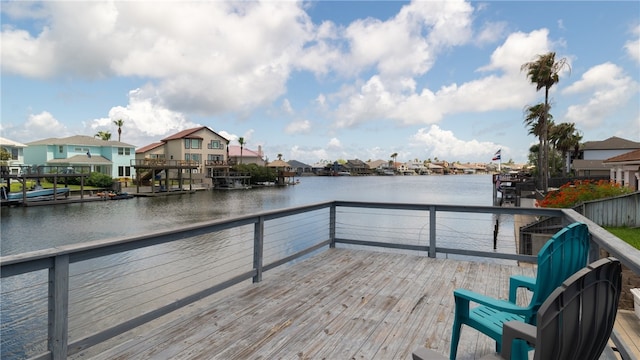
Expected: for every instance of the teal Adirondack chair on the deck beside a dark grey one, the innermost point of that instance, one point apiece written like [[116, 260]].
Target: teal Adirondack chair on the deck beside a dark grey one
[[563, 255]]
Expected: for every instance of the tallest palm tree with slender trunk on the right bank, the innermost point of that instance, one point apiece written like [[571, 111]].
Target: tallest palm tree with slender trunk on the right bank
[[544, 73]]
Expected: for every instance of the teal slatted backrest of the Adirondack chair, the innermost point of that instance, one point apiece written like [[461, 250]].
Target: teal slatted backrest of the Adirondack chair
[[563, 255]]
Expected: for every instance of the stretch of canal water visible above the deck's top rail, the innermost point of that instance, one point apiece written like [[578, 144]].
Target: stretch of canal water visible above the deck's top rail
[[42, 227]]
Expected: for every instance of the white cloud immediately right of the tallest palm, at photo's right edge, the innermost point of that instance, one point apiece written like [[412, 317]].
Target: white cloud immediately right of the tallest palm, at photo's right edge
[[607, 88]]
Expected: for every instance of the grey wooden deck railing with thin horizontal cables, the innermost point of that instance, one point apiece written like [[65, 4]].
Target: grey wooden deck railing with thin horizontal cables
[[244, 247]]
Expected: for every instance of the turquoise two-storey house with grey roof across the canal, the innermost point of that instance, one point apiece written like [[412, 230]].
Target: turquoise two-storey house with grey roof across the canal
[[107, 157]]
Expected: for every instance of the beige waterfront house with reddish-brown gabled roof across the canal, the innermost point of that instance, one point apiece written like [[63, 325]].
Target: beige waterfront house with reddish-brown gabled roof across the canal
[[201, 151]]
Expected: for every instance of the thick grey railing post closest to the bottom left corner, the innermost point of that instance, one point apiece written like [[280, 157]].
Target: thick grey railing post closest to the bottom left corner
[[59, 307]]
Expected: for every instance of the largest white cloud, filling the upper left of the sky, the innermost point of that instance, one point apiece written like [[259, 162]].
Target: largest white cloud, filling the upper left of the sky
[[228, 56]]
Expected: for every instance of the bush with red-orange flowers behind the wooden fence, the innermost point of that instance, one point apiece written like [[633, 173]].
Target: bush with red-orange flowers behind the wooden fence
[[579, 191]]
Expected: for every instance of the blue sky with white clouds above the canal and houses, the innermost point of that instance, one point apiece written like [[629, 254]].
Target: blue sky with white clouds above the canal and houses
[[320, 80]]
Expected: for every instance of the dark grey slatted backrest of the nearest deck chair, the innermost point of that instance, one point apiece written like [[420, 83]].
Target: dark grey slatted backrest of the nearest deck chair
[[578, 318]]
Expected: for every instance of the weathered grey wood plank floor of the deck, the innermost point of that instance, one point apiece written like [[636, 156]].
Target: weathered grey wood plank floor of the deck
[[340, 304]]
